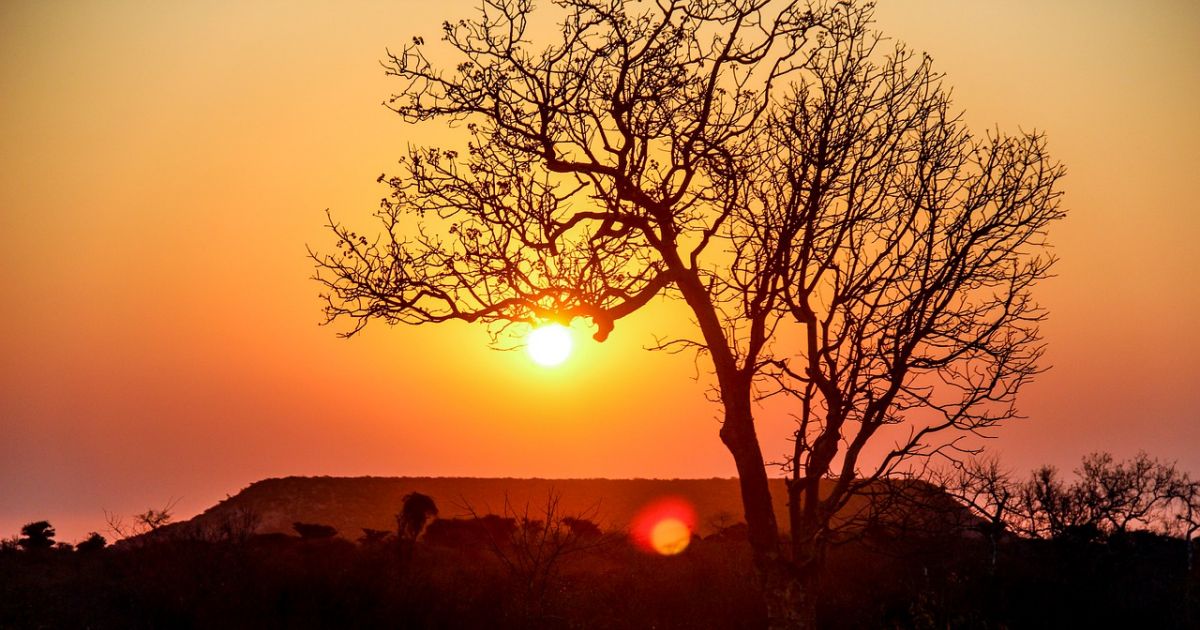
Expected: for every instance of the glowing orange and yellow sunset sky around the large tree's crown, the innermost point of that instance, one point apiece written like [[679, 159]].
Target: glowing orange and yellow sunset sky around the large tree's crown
[[164, 166]]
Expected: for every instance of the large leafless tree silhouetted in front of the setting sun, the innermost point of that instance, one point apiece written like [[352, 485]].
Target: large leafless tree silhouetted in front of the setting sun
[[843, 242]]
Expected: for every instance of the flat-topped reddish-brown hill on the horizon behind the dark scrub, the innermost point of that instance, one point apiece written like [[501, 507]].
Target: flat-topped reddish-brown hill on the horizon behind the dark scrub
[[371, 502]]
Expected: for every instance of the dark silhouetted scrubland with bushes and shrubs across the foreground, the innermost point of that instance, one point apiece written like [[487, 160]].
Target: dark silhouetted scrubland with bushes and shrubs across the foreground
[[1112, 547]]
